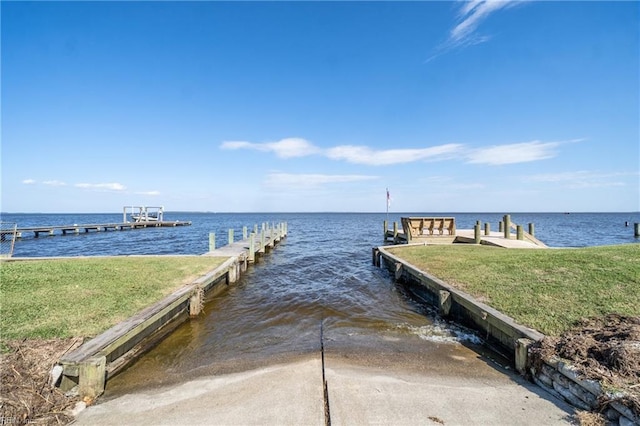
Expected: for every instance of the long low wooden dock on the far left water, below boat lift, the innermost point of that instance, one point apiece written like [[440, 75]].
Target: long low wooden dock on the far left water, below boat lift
[[86, 228]]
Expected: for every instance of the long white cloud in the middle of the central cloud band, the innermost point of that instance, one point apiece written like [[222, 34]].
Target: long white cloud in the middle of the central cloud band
[[368, 156]]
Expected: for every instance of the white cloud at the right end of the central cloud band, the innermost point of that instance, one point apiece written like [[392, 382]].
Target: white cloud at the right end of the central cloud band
[[513, 153]]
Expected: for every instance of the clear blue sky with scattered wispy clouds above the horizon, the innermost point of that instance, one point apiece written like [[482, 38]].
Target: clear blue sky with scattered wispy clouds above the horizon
[[320, 106]]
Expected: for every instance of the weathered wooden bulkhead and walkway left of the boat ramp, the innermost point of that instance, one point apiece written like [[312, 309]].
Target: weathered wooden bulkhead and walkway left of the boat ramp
[[87, 368]]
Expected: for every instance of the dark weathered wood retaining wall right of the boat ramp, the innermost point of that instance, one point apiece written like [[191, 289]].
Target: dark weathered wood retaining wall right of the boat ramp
[[556, 376]]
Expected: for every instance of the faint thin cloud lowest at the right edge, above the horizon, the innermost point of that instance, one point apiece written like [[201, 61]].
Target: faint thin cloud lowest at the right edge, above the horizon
[[583, 179]]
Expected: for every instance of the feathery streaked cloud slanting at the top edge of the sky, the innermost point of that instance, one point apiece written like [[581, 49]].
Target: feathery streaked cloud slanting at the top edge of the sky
[[470, 15]]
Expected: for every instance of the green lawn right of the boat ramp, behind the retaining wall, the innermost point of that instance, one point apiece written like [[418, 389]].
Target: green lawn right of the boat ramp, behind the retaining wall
[[548, 290]]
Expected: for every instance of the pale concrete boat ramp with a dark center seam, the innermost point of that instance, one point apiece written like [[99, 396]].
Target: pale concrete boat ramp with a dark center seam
[[387, 387]]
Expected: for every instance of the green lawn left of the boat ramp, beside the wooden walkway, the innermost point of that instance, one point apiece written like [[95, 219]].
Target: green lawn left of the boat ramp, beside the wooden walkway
[[61, 298]]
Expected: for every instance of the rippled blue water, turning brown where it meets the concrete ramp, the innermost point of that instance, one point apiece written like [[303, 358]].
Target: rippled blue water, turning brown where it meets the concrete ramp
[[319, 276]]
